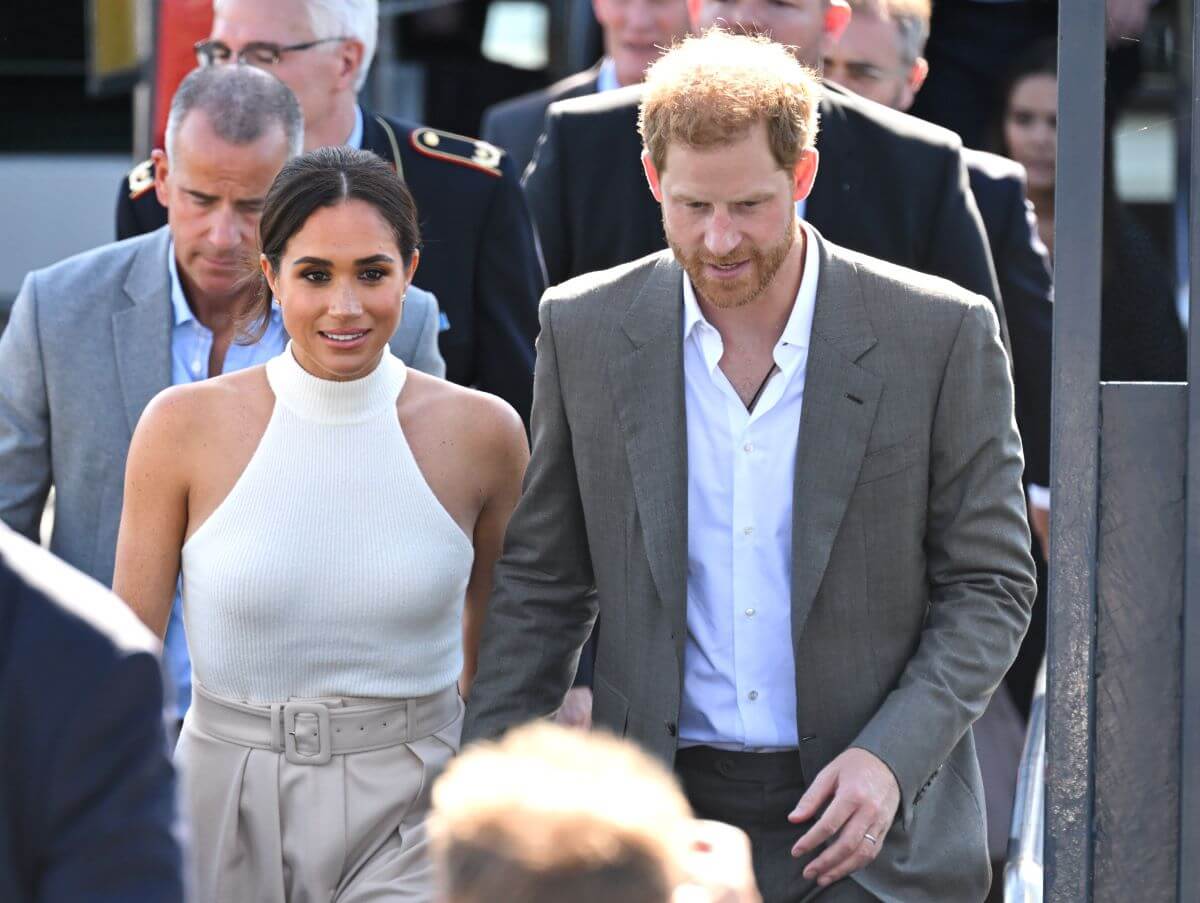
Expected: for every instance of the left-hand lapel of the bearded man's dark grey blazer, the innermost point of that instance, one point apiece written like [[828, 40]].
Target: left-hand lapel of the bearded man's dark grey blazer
[[647, 381]]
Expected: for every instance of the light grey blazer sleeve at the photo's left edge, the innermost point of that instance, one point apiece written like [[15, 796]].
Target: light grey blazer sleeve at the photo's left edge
[[25, 417]]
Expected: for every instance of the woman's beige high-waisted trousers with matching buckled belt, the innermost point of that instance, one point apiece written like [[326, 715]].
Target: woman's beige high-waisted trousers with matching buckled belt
[[313, 800]]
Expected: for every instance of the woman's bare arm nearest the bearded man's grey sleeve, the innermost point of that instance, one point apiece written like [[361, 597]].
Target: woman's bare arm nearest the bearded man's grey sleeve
[[506, 455]]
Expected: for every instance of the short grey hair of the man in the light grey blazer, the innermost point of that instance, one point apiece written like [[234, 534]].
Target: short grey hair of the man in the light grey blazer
[[242, 104]]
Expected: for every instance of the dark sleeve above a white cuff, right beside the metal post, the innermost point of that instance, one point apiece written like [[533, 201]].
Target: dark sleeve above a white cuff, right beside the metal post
[[1023, 268]]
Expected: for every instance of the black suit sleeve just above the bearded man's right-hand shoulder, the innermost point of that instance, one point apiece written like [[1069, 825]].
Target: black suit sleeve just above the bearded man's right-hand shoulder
[[958, 243]]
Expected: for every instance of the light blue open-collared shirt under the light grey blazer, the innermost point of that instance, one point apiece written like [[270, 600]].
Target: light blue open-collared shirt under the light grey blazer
[[191, 343]]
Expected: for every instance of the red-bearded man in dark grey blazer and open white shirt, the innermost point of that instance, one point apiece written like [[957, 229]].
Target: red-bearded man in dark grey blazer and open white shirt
[[789, 475]]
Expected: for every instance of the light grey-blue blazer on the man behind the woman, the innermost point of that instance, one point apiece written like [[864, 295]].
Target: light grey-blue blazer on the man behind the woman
[[87, 348]]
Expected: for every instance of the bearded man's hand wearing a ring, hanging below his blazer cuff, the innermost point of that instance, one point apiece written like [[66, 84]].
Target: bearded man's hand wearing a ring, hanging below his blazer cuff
[[863, 799]]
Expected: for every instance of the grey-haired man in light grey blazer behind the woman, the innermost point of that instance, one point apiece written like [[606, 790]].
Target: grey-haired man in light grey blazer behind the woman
[[94, 338]]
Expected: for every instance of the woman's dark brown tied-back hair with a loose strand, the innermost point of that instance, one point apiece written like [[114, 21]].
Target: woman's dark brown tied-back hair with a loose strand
[[326, 178]]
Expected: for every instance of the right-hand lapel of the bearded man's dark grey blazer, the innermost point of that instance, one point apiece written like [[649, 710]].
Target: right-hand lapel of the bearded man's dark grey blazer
[[841, 400]]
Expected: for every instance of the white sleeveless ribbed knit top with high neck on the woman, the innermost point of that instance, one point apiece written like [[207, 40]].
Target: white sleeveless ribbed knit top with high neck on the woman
[[331, 570]]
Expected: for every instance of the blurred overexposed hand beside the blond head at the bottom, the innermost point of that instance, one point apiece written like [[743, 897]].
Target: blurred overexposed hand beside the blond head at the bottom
[[718, 866]]
